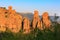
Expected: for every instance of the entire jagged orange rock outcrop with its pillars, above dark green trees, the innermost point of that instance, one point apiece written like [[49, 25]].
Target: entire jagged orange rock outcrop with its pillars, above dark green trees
[[12, 21]]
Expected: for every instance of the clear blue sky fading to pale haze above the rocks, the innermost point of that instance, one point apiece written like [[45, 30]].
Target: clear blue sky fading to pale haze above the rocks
[[51, 6]]
